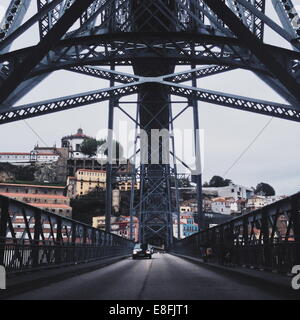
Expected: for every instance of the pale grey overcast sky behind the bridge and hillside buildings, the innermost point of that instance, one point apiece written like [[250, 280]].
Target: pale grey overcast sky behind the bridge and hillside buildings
[[274, 158]]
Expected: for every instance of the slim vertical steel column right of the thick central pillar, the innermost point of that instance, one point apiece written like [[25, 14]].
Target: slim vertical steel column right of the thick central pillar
[[198, 176]]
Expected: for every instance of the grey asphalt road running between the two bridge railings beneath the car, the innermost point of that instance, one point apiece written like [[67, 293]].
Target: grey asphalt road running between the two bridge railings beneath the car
[[164, 277]]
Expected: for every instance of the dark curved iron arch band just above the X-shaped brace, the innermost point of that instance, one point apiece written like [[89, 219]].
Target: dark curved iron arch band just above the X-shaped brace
[[123, 49]]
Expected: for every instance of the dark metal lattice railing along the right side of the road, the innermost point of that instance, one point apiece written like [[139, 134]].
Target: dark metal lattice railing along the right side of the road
[[268, 238]]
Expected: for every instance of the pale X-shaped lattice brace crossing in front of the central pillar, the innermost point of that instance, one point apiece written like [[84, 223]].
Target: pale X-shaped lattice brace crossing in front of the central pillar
[[277, 110]]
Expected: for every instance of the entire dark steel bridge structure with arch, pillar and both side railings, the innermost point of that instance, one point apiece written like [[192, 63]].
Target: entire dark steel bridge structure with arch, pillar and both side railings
[[95, 38]]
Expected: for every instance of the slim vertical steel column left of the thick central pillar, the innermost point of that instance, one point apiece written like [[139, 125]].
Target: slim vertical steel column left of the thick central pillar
[[109, 161]]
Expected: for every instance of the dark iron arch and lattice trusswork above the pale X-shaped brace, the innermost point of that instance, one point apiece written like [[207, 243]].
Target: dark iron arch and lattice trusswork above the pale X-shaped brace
[[195, 34]]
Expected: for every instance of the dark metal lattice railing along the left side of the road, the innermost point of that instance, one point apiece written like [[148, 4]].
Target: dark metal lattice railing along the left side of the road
[[31, 238]]
